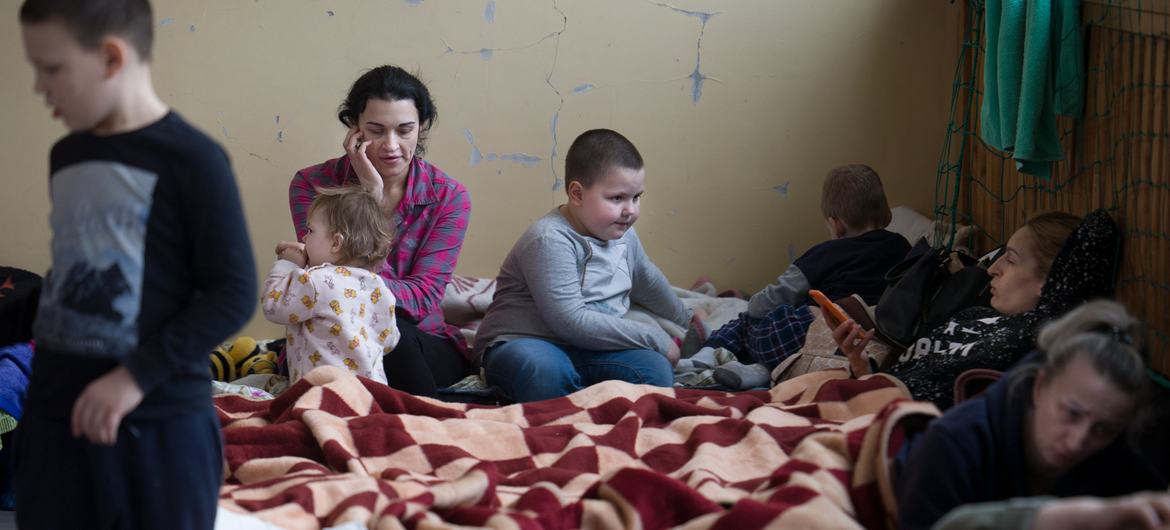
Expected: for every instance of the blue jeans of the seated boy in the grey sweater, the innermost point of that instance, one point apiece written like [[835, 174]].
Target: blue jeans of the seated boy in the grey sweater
[[531, 369]]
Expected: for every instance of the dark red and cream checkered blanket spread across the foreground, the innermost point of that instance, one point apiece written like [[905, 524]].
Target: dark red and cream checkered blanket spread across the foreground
[[334, 449]]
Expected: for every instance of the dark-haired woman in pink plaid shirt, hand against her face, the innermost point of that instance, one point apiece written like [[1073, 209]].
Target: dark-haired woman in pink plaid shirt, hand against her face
[[389, 113]]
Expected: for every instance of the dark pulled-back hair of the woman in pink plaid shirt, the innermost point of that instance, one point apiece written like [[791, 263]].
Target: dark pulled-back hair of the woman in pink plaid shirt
[[390, 84]]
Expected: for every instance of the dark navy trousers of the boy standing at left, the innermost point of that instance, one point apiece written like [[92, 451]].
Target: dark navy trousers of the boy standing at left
[[159, 474]]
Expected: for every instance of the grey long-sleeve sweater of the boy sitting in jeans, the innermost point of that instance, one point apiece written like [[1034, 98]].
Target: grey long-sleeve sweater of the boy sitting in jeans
[[568, 288]]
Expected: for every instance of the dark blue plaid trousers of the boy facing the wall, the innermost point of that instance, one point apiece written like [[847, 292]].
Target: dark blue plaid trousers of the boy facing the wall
[[766, 341]]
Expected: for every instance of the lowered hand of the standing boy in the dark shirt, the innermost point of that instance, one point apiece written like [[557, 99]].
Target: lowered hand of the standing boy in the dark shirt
[[104, 404]]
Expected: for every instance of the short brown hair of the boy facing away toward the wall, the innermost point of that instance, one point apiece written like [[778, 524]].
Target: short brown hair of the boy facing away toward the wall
[[855, 196]]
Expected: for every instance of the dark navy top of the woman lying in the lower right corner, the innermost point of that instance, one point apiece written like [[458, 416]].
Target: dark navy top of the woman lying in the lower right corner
[[975, 453]]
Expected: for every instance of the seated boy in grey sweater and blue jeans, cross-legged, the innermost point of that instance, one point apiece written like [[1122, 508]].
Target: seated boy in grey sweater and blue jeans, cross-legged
[[556, 323]]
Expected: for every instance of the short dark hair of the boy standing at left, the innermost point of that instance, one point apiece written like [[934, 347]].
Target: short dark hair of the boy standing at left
[[90, 22]]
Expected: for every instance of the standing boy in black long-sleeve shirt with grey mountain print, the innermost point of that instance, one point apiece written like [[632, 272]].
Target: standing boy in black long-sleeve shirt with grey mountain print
[[152, 269]]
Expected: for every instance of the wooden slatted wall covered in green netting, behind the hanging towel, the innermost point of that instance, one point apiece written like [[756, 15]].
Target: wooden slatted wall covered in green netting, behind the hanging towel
[[1117, 155]]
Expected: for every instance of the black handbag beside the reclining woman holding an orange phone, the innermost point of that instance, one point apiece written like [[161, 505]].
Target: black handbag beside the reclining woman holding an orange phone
[[926, 290]]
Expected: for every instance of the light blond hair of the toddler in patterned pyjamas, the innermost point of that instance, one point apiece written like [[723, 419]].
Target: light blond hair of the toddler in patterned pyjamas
[[355, 214]]
